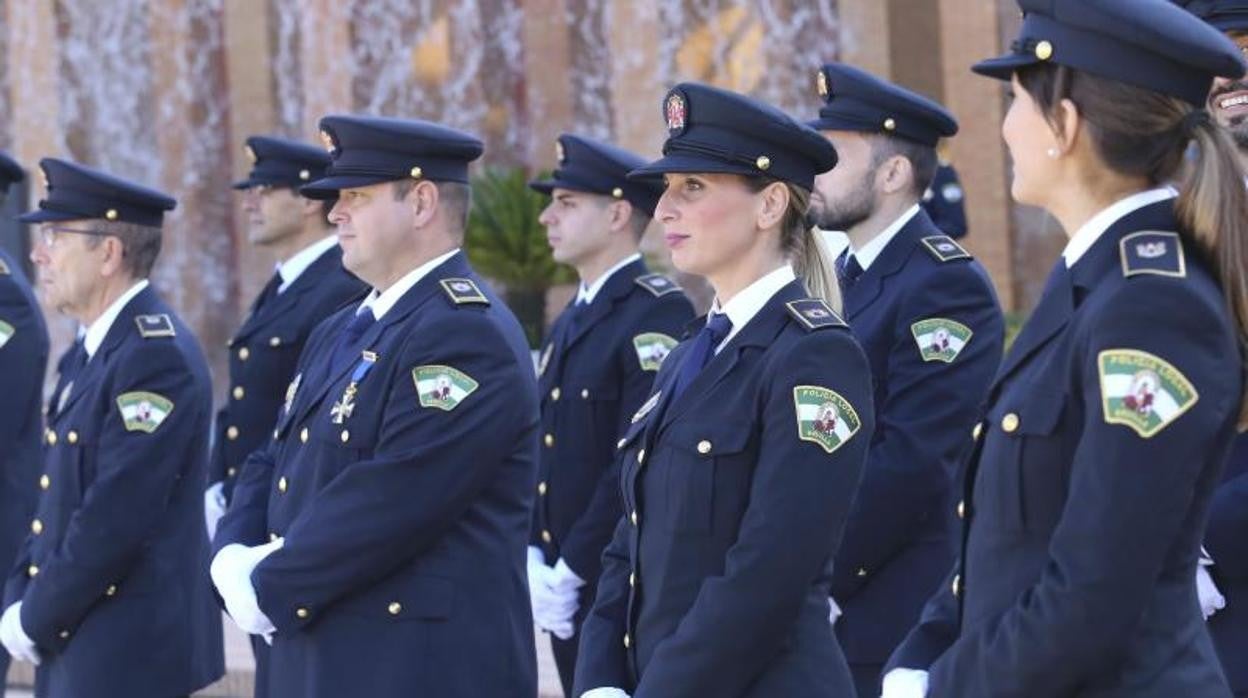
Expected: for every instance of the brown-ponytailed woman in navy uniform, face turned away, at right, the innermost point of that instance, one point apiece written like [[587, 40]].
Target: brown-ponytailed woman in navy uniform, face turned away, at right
[[1110, 421]]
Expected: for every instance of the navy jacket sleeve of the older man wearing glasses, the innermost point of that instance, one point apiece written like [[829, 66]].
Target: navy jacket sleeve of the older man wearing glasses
[[137, 473]]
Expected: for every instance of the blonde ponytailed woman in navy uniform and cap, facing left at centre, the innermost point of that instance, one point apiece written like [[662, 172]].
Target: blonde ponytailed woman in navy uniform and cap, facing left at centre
[[739, 470]]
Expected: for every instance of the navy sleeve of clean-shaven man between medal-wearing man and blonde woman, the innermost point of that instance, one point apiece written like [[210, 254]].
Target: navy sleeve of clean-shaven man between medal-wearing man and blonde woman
[[583, 546]]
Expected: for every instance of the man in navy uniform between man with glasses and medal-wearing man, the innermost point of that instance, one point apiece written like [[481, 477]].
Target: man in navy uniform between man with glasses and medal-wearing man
[[308, 287]]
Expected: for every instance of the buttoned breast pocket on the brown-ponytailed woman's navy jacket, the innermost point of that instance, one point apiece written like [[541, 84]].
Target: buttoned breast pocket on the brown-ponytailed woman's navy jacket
[[1028, 460]]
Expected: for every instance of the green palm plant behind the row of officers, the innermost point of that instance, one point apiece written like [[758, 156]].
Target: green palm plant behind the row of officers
[[506, 243]]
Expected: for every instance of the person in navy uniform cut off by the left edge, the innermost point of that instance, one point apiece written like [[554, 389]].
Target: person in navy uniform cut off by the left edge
[[23, 363]]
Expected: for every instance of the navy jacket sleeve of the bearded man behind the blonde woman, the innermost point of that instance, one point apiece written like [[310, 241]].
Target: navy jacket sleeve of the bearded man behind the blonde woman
[[924, 424]]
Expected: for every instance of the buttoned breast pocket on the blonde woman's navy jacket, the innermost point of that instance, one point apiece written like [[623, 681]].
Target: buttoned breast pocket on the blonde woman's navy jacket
[[706, 474]]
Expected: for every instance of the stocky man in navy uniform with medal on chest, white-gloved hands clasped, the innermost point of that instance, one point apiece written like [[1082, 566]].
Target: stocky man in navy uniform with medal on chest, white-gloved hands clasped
[[380, 538]]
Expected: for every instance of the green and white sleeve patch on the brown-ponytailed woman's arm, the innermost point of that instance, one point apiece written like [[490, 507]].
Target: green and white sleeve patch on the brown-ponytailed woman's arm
[[1143, 391]]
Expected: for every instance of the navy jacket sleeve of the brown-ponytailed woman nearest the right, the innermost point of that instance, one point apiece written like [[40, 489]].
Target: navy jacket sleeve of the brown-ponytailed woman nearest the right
[[1129, 501]]
